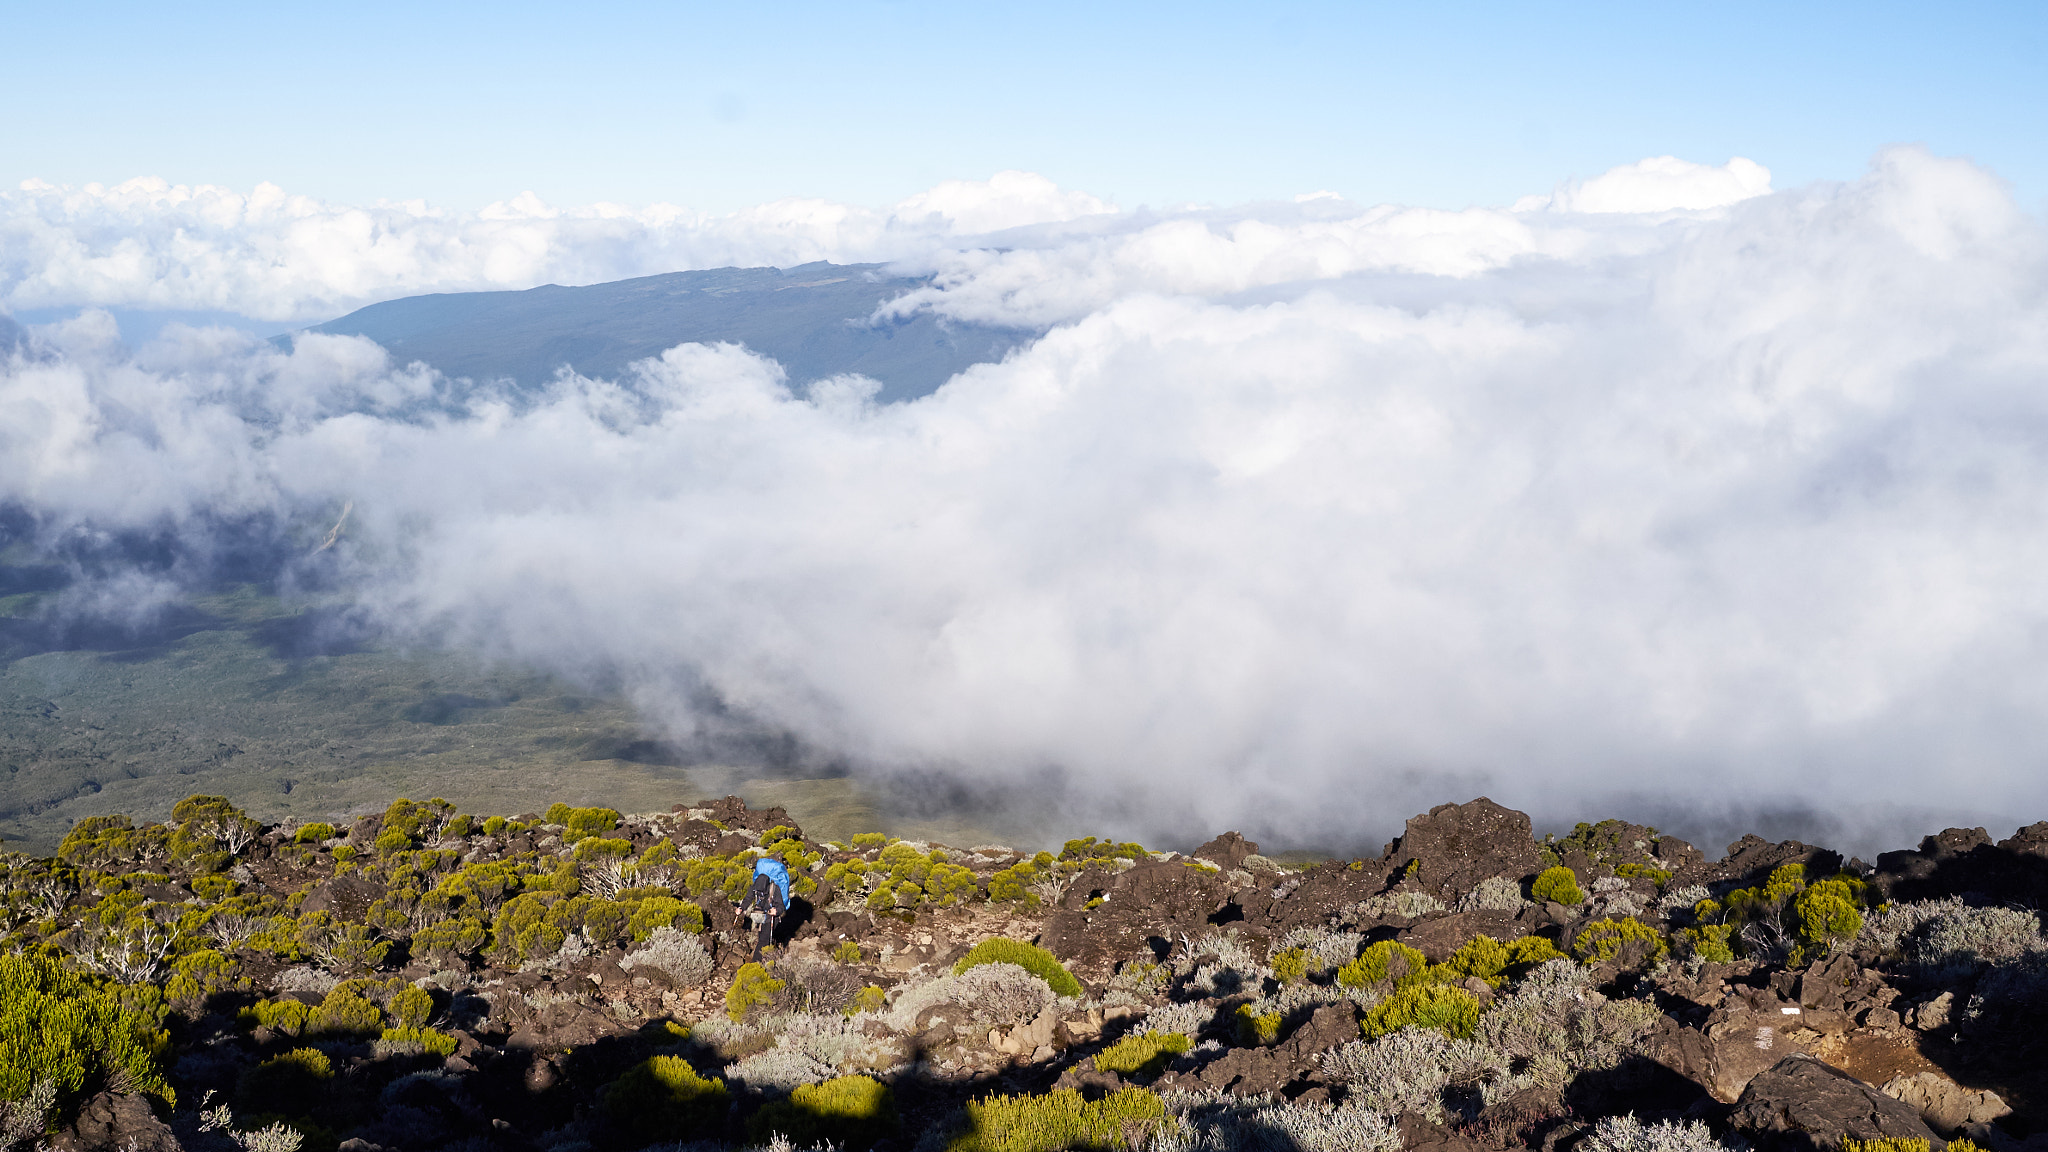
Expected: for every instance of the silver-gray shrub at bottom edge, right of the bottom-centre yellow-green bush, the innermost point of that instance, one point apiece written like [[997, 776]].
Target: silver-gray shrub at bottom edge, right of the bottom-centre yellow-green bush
[[1218, 1122]]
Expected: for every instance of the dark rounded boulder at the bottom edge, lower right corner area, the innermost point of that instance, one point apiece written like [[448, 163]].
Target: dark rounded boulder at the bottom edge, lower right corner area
[[1803, 1106]]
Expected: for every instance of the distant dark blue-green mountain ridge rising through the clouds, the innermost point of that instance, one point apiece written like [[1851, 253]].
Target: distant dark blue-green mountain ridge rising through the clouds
[[814, 319]]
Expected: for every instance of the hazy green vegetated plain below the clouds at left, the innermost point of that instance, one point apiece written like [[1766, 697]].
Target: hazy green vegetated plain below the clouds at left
[[222, 698]]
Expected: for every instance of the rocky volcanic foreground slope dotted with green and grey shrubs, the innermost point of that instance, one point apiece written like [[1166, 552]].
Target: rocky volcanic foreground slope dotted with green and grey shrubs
[[433, 981]]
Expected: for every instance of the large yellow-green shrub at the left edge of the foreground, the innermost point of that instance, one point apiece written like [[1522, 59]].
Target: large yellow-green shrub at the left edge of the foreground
[[73, 1034]]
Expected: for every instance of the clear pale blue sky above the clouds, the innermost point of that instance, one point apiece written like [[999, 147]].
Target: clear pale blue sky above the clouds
[[1148, 104]]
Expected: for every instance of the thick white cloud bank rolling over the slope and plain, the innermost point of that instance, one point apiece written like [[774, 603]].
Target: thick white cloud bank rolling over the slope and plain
[[1316, 513]]
